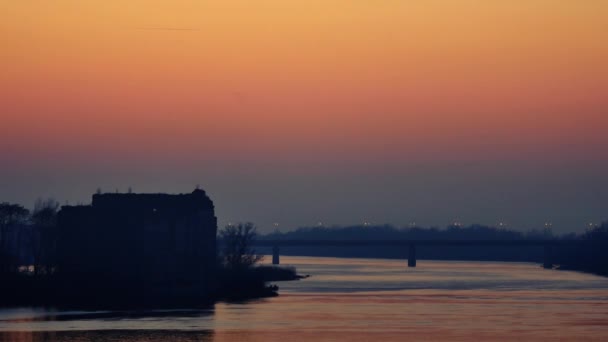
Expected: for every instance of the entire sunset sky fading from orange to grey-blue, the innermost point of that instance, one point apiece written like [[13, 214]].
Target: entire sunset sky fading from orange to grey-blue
[[319, 110]]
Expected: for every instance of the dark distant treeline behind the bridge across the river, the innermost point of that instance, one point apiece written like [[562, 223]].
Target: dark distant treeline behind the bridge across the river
[[588, 259]]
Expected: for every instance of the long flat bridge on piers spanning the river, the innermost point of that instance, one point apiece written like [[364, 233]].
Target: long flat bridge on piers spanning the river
[[411, 245]]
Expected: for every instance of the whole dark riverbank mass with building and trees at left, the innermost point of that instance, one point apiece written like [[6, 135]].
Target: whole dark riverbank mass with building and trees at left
[[130, 250]]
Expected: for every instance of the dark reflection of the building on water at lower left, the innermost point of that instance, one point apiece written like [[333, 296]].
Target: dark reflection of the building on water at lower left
[[91, 326]]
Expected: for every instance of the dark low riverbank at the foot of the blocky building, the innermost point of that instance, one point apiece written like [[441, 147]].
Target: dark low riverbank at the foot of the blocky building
[[23, 289]]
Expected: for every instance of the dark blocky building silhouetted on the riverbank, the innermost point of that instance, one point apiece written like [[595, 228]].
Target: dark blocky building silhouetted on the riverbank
[[140, 246]]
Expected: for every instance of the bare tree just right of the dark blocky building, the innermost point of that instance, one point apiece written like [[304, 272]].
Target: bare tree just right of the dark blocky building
[[237, 248]]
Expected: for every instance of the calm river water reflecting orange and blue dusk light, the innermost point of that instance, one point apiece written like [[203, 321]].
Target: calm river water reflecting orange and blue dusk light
[[361, 300]]
